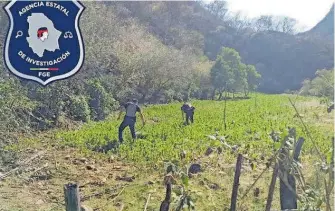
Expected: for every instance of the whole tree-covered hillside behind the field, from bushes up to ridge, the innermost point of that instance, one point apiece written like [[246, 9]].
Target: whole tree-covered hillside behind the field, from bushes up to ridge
[[165, 51]]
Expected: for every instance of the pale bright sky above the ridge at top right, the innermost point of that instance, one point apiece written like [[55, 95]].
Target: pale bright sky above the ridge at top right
[[307, 12]]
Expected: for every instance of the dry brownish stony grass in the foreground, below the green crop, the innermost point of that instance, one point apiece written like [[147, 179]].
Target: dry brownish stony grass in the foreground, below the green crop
[[210, 189]]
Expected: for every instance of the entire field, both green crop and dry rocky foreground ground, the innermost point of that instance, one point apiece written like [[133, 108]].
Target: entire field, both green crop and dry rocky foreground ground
[[252, 125]]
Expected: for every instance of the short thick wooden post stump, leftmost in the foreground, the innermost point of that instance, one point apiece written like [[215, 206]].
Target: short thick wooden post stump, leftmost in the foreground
[[72, 199]]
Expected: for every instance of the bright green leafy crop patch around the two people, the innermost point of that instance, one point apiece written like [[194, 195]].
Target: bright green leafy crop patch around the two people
[[249, 124]]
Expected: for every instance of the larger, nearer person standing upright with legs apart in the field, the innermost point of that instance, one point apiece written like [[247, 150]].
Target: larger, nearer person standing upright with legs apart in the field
[[131, 108]]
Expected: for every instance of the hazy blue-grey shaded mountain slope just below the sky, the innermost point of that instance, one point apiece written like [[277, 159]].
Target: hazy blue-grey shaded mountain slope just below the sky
[[284, 60]]
